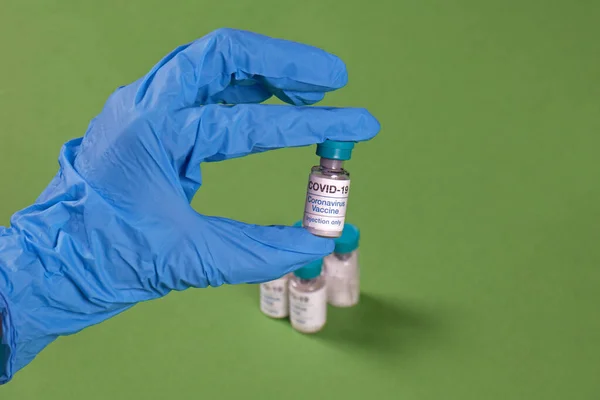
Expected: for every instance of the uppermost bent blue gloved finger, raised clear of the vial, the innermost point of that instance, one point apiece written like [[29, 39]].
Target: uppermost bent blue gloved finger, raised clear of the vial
[[197, 73]]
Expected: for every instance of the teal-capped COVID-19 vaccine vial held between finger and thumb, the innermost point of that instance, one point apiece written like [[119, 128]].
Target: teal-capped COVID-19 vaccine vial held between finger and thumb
[[328, 189]]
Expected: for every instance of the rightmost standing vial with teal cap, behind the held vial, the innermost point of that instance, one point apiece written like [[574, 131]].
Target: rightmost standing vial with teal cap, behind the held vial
[[342, 270]]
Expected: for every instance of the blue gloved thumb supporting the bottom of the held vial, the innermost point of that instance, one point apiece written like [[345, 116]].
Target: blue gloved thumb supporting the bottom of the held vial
[[224, 251]]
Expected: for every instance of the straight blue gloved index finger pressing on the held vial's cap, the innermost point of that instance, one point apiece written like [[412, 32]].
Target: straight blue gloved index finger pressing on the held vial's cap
[[218, 133]]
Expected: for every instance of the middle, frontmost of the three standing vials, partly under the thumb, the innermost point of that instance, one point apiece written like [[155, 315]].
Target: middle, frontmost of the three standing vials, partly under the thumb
[[308, 298]]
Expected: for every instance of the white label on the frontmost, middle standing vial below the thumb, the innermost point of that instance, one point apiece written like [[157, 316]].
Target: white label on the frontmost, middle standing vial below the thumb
[[308, 310]]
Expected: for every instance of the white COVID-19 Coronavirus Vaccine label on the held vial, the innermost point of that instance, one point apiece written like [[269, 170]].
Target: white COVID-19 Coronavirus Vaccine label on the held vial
[[326, 202]]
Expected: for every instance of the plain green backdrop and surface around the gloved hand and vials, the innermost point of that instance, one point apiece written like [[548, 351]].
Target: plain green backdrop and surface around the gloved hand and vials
[[480, 255]]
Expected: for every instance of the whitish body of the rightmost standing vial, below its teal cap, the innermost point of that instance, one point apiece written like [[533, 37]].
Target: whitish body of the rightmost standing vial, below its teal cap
[[343, 288]]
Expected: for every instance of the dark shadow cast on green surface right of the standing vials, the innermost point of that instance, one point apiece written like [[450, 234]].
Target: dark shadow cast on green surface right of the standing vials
[[384, 327]]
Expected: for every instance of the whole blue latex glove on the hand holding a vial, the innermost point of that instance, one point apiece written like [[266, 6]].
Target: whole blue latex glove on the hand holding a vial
[[115, 226]]
